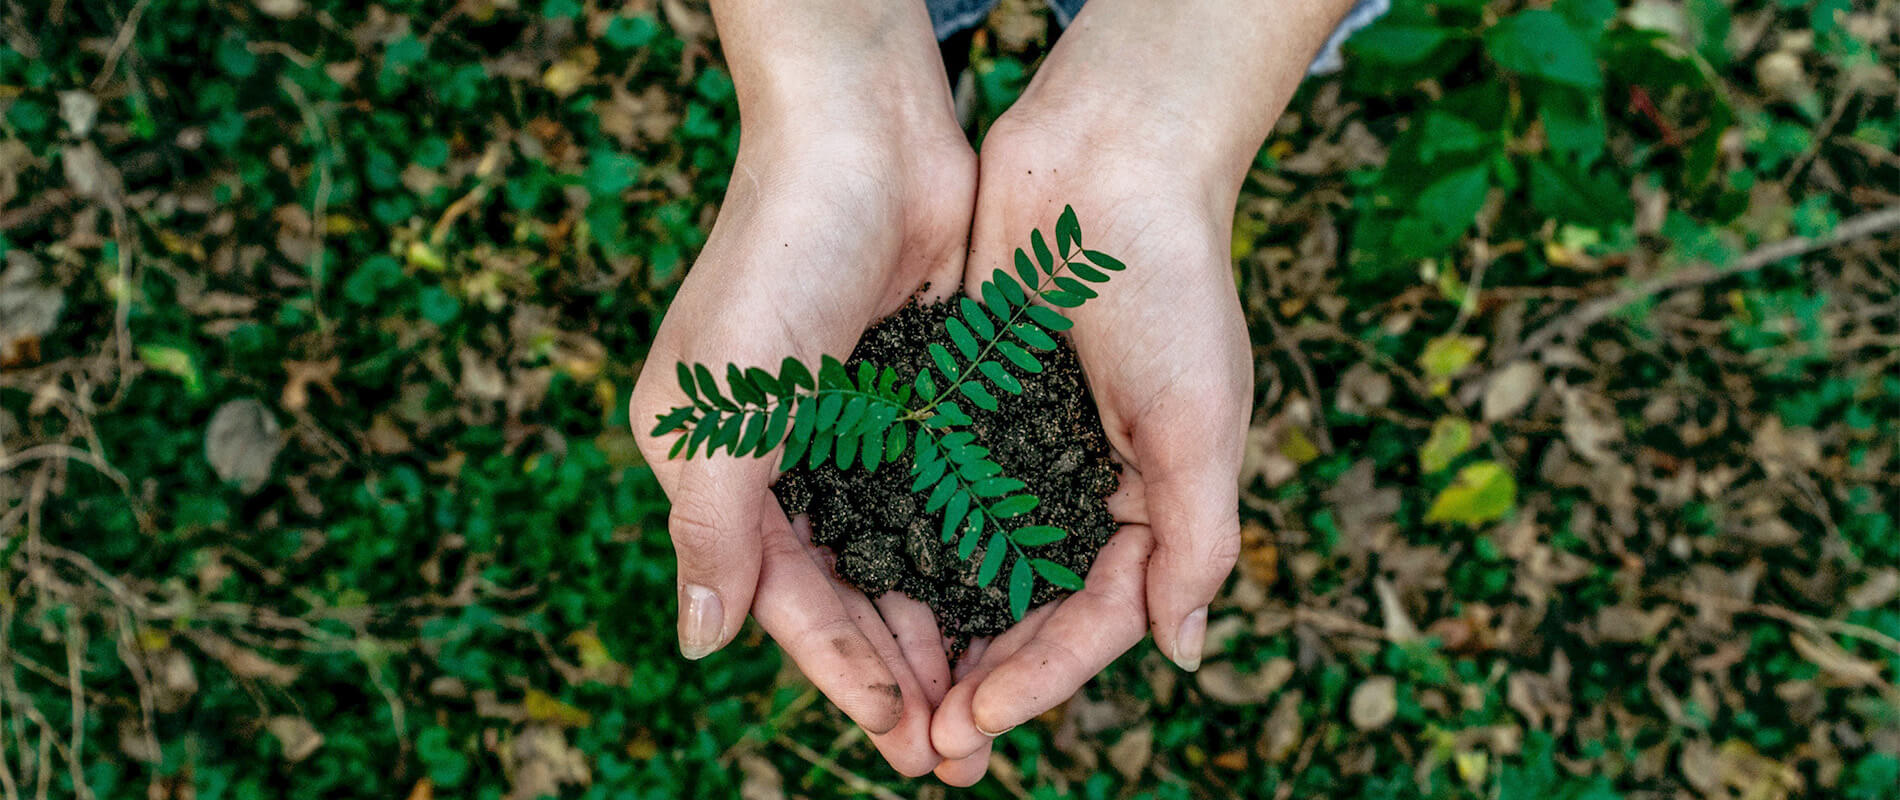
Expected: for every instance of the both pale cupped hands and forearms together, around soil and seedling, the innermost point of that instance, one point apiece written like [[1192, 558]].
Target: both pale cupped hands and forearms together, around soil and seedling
[[852, 189]]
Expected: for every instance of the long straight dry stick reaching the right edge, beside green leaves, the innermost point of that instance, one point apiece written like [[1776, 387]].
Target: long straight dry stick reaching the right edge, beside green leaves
[[1872, 223]]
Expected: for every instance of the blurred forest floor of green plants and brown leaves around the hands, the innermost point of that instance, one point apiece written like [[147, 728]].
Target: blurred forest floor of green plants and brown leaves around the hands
[[1572, 474]]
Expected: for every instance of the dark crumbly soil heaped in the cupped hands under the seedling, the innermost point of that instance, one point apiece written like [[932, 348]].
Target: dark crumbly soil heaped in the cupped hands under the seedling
[[1050, 438]]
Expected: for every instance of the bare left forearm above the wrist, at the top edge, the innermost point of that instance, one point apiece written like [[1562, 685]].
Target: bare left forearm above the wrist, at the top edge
[[833, 62]]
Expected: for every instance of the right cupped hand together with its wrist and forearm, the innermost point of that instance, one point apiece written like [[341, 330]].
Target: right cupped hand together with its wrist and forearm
[[1145, 119]]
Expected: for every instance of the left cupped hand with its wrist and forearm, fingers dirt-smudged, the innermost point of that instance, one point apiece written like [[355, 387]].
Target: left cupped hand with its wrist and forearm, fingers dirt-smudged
[[852, 189]]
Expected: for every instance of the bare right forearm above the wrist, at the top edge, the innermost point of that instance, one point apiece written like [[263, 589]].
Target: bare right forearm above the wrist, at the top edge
[[1202, 77]]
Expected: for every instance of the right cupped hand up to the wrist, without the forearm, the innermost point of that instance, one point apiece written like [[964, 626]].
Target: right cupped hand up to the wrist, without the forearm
[[1168, 358]]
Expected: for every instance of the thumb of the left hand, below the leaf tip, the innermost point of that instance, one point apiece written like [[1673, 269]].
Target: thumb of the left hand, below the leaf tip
[[715, 529]]
